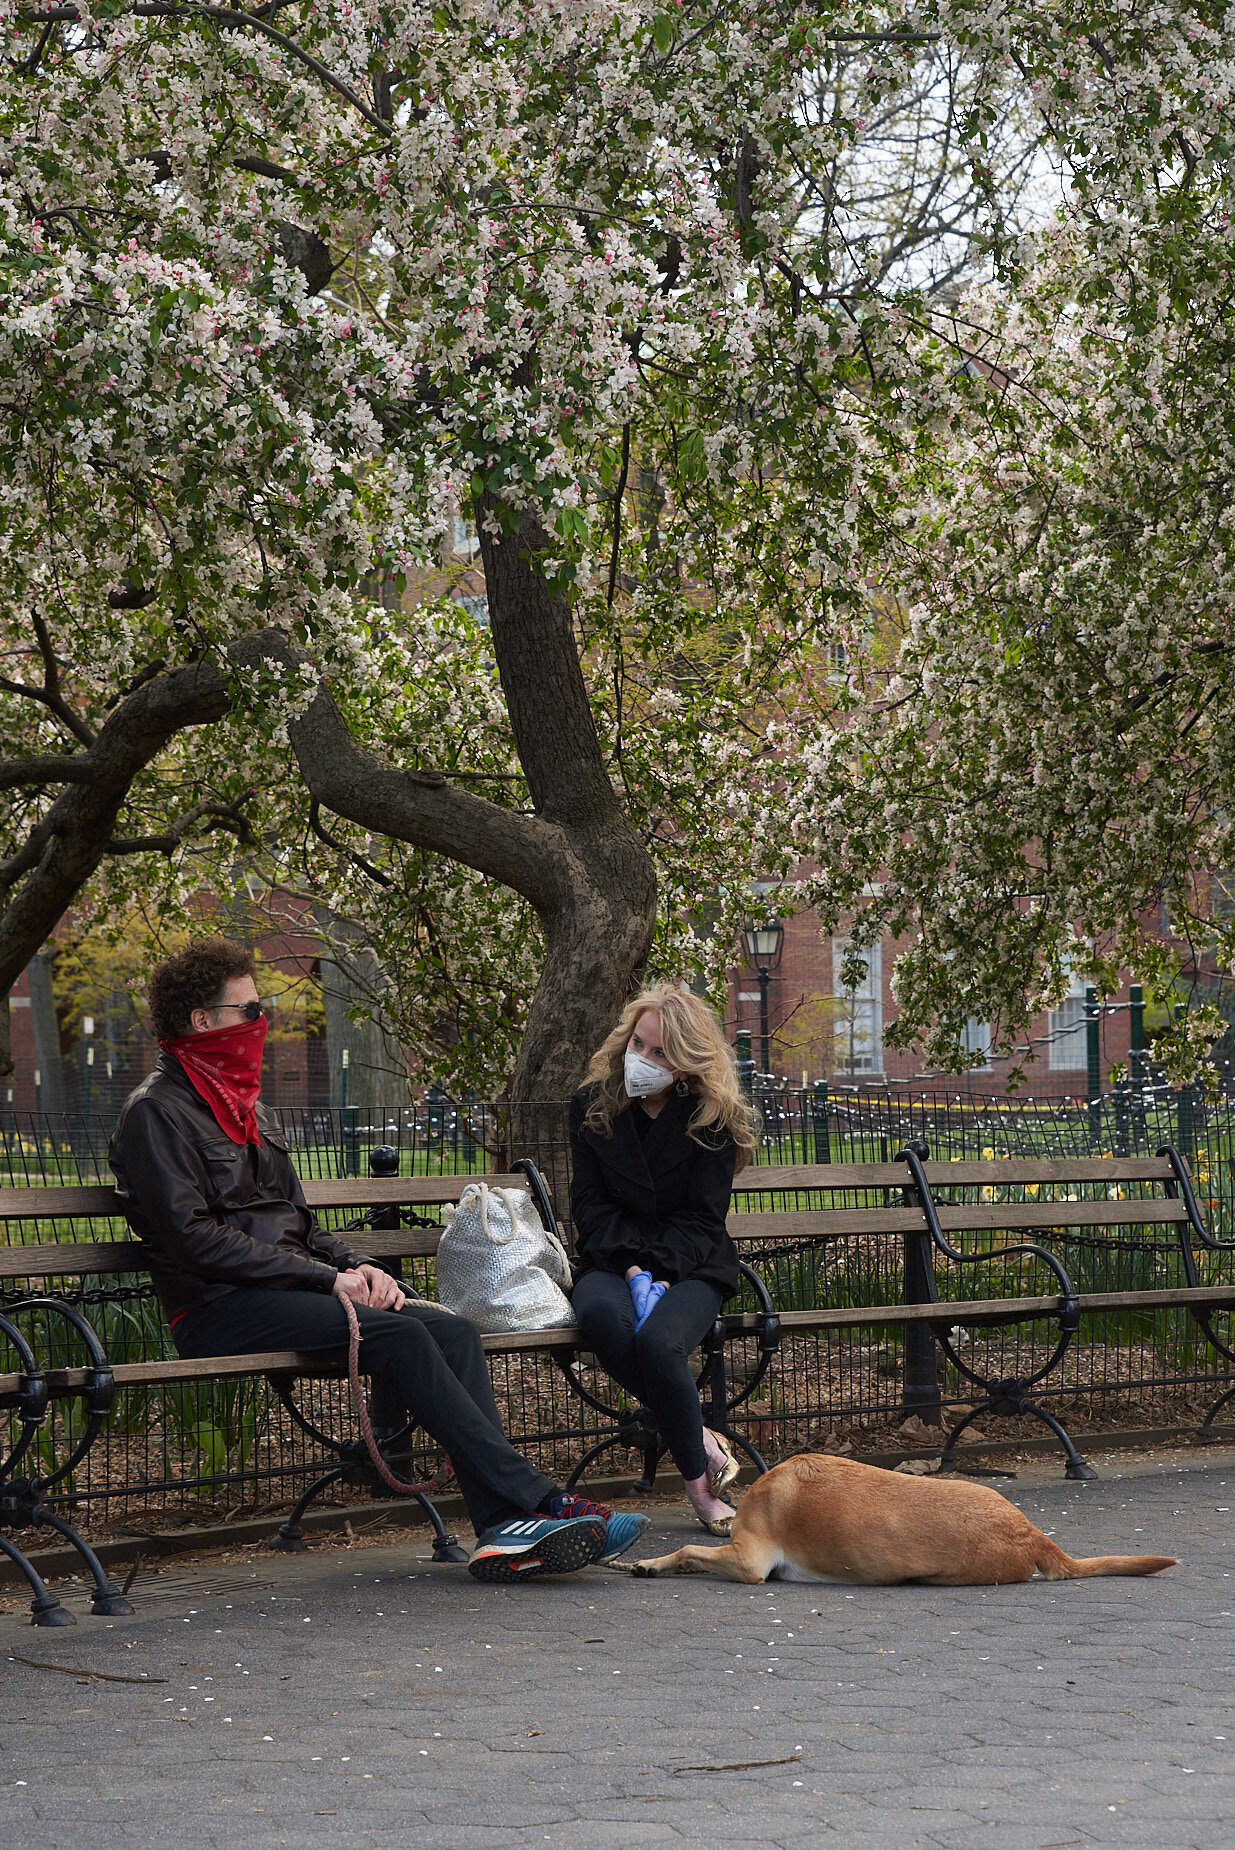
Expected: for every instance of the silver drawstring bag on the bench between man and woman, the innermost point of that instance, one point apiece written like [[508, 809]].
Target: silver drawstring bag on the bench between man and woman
[[500, 1266]]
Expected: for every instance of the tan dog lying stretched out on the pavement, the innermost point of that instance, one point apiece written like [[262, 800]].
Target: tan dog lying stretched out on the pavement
[[835, 1520]]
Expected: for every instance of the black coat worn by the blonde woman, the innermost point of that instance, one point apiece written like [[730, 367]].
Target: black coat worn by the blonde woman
[[657, 1202]]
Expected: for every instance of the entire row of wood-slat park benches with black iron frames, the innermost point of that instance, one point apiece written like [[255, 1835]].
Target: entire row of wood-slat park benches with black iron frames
[[918, 1216]]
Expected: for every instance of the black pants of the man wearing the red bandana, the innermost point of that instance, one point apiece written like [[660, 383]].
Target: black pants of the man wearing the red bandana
[[430, 1359]]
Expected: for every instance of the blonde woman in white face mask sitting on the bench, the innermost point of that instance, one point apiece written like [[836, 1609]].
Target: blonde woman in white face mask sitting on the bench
[[657, 1135]]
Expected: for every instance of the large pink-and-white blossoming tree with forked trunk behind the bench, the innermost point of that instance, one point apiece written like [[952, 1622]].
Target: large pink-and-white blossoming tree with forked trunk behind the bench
[[289, 288]]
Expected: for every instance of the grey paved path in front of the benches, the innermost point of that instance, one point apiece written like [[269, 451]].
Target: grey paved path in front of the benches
[[367, 1697]]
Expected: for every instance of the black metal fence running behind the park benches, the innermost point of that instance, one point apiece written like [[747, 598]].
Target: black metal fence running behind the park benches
[[226, 1449]]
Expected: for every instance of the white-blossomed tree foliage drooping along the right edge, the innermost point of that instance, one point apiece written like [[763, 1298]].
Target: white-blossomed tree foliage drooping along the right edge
[[1042, 769]]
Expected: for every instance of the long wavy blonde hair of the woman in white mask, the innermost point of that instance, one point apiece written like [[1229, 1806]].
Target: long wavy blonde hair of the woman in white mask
[[696, 1046]]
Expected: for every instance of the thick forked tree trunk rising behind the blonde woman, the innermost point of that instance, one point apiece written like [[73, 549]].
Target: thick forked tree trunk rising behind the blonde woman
[[578, 857]]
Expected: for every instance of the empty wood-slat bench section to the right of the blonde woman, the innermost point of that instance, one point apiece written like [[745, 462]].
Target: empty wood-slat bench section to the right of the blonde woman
[[955, 1220]]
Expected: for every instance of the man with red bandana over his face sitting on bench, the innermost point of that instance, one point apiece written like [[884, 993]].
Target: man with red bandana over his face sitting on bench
[[243, 1266]]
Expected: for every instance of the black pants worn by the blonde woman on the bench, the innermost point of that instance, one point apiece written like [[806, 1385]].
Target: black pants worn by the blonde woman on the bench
[[654, 1364]]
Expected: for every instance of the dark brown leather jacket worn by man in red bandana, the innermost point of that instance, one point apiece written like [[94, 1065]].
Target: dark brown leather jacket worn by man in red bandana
[[215, 1215]]
